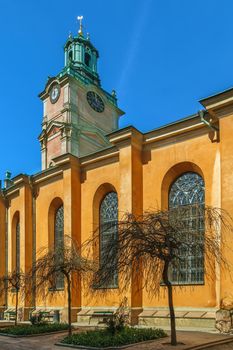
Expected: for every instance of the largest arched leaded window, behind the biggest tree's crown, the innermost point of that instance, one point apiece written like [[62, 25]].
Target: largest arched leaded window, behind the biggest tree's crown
[[186, 200]]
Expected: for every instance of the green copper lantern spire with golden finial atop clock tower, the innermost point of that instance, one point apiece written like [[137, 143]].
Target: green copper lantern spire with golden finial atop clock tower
[[81, 55]]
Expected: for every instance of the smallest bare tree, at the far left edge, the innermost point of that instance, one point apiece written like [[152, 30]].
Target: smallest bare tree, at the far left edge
[[15, 282]]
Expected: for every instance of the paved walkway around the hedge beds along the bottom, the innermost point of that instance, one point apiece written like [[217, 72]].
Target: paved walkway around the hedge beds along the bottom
[[187, 338]]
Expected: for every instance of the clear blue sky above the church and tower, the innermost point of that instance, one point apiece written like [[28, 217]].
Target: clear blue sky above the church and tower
[[161, 56]]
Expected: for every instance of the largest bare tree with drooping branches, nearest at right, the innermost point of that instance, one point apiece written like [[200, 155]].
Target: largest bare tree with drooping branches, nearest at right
[[159, 243]]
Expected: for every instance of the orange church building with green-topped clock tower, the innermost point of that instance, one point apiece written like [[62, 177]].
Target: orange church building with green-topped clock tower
[[91, 170]]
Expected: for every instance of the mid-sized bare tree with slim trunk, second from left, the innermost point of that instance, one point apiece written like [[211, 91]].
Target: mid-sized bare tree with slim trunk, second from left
[[62, 263]]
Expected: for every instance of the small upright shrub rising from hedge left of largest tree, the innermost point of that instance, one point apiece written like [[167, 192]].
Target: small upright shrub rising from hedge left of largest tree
[[118, 321]]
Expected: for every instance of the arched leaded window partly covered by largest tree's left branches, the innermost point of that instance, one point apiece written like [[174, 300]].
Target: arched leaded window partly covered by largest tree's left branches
[[108, 230]]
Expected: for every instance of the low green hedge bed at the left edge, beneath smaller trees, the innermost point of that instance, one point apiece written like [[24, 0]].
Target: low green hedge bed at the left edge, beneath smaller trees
[[34, 329]]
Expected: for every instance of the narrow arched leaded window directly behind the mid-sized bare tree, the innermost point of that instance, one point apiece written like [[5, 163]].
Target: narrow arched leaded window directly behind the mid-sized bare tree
[[58, 242]]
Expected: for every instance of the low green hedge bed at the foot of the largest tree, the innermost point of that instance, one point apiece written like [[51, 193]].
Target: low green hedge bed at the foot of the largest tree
[[103, 338]]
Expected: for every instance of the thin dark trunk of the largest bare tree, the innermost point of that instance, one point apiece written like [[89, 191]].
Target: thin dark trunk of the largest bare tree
[[170, 303]]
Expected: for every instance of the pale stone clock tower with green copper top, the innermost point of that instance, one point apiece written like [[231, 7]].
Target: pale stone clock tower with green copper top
[[78, 112]]
